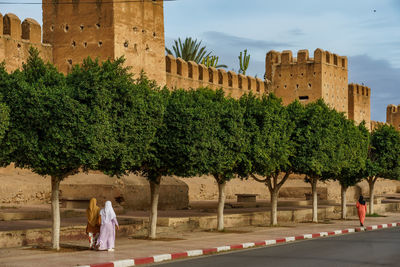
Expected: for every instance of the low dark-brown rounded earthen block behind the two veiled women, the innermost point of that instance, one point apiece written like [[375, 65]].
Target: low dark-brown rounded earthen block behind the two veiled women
[[130, 192]]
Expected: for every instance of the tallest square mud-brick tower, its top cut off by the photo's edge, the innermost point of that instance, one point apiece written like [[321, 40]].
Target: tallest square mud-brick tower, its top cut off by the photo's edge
[[107, 29]]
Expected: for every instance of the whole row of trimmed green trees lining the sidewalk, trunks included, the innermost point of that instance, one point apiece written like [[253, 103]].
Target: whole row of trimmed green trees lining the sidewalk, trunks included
[[99, 118]]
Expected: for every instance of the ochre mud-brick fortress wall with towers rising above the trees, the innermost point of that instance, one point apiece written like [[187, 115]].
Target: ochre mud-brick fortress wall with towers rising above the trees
[[135, 30]]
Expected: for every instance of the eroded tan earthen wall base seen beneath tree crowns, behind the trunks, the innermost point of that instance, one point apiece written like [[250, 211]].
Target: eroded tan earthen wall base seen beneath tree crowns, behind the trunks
[[24, 187]]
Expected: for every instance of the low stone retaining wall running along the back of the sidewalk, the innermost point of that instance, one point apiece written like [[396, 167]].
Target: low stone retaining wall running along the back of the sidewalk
[[139, 226]]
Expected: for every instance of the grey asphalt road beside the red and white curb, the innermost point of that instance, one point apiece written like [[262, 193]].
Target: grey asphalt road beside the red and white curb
[[373, 248]]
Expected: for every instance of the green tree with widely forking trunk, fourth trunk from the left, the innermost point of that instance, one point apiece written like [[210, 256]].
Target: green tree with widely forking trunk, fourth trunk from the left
[[268, 132]]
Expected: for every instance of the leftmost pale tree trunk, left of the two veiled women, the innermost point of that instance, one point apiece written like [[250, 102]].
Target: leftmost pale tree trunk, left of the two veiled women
[[55, 212]]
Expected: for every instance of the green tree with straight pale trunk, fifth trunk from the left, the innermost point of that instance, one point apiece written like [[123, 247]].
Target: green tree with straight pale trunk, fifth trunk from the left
[[317, 134]]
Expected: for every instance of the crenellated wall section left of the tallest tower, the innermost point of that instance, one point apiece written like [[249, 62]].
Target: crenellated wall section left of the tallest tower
[[16, 38]]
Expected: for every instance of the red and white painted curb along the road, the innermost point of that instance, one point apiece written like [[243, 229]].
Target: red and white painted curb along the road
[[200, 252]]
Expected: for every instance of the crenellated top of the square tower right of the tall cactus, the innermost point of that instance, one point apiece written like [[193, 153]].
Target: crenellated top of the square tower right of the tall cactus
[[320, 56]]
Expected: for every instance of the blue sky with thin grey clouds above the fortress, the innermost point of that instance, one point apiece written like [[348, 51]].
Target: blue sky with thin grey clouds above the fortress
[[366, 31]]
